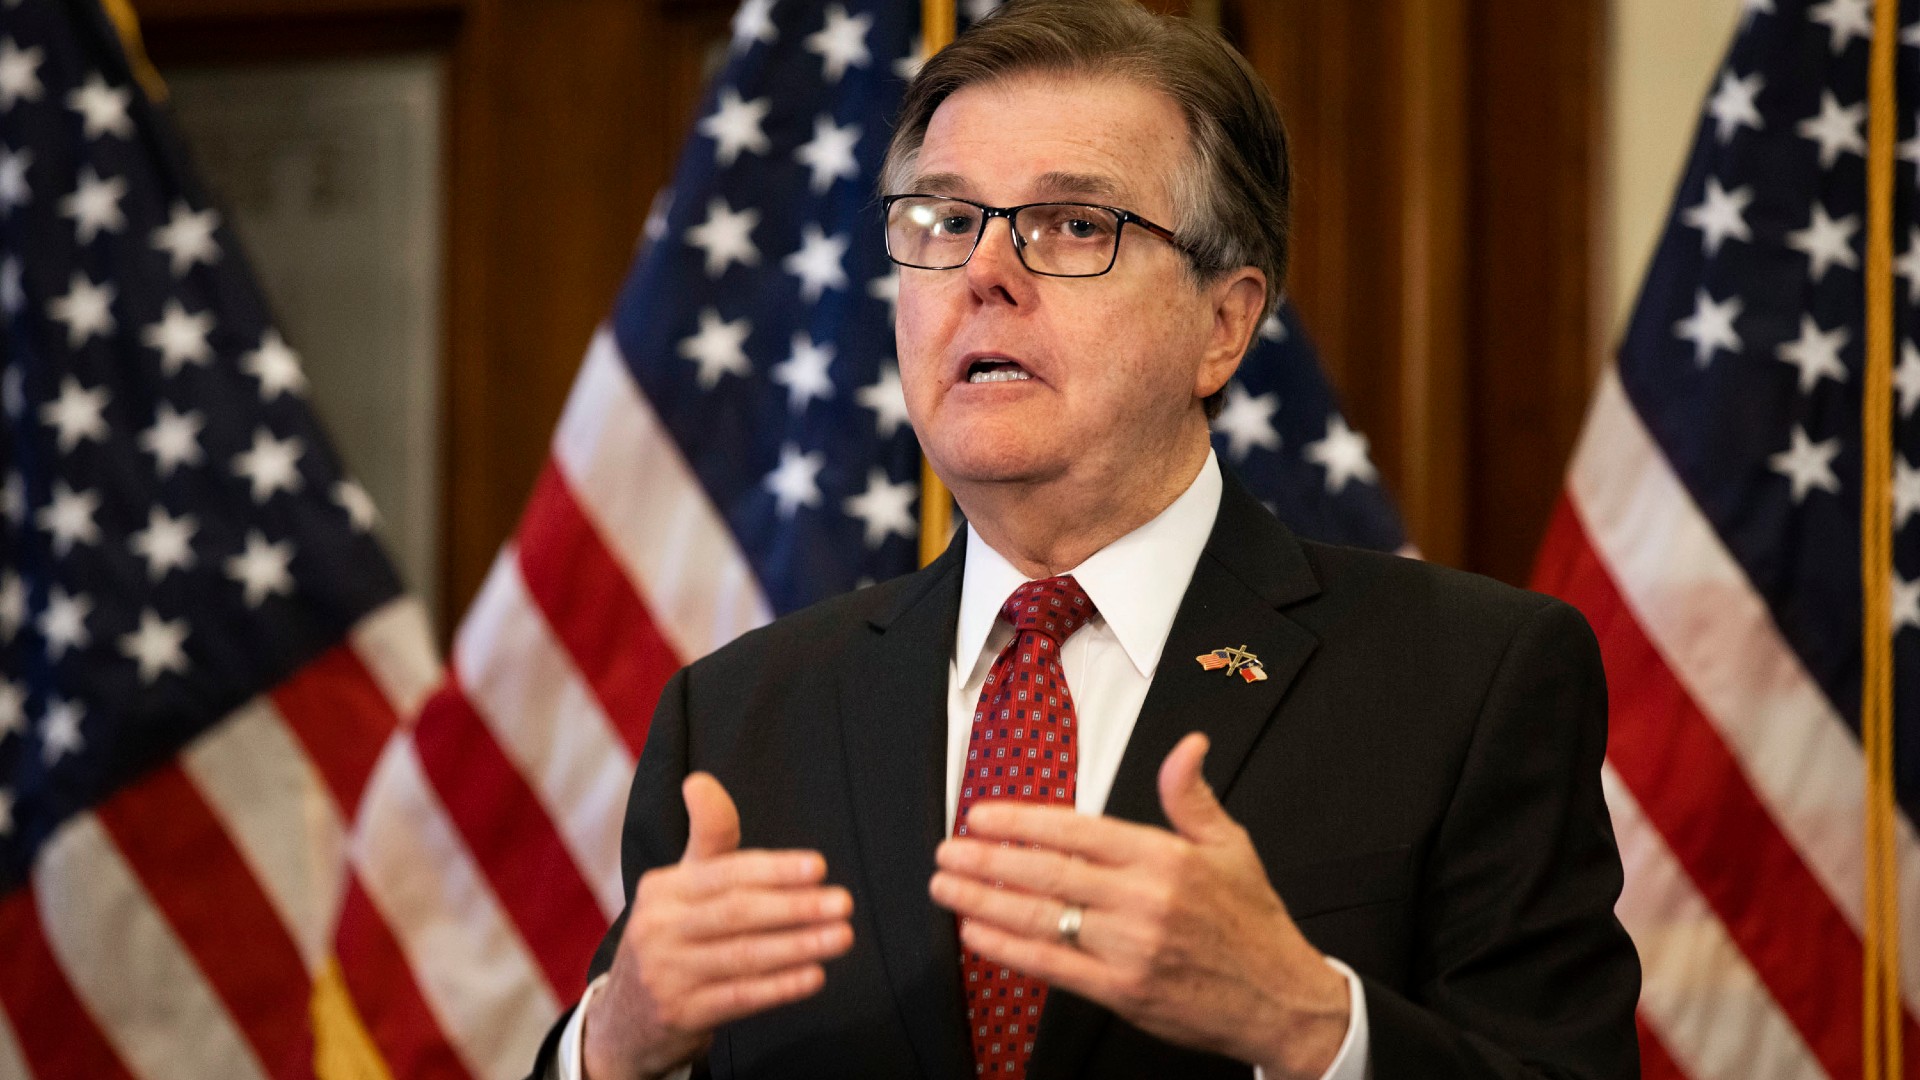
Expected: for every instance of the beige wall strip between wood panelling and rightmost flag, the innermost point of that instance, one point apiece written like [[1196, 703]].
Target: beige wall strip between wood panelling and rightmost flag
[[1662, 66]]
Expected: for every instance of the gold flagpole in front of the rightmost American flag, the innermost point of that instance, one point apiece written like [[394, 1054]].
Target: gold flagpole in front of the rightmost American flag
[[1883, 1014]]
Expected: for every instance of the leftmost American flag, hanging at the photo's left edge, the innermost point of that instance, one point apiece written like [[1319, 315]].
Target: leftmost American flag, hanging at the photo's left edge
[[203, 647]]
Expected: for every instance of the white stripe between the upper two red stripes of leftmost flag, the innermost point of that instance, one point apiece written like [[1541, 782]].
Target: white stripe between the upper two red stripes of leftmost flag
[[281, 818]]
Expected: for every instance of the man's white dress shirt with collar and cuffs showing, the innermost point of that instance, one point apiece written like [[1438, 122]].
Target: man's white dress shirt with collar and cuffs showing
[[1136, 585]]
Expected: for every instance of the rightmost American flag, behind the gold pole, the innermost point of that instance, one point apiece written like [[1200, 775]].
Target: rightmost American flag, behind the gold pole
[[1712, 533]]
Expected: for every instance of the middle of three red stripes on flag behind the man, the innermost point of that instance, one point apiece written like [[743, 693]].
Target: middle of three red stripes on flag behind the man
[[512, 839]]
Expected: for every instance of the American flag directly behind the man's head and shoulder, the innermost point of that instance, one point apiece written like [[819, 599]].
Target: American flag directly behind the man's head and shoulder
[[736, 447]]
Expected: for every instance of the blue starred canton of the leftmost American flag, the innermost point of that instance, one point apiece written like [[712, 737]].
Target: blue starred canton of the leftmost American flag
[[178, 535]]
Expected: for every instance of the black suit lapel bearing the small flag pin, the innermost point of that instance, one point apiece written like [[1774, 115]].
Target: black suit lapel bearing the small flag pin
[[1251, 570]]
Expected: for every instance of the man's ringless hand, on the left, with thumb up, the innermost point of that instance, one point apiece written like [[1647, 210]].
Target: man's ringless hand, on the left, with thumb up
[[719, 937]]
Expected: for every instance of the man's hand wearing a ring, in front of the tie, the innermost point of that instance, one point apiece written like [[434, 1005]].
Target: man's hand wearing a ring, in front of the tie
[[1182, 933]]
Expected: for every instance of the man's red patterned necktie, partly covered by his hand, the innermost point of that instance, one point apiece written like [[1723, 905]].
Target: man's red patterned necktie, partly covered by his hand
[[1022, 749]]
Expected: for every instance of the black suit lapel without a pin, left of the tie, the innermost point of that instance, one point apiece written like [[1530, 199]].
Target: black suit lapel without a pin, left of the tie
[[894, 733]]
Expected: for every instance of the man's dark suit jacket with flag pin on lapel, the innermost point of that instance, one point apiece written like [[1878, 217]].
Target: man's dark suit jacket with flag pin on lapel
[[1420, 775]]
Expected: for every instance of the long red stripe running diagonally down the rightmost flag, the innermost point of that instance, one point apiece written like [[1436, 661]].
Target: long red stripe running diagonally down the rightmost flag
[[1696, 795]]
